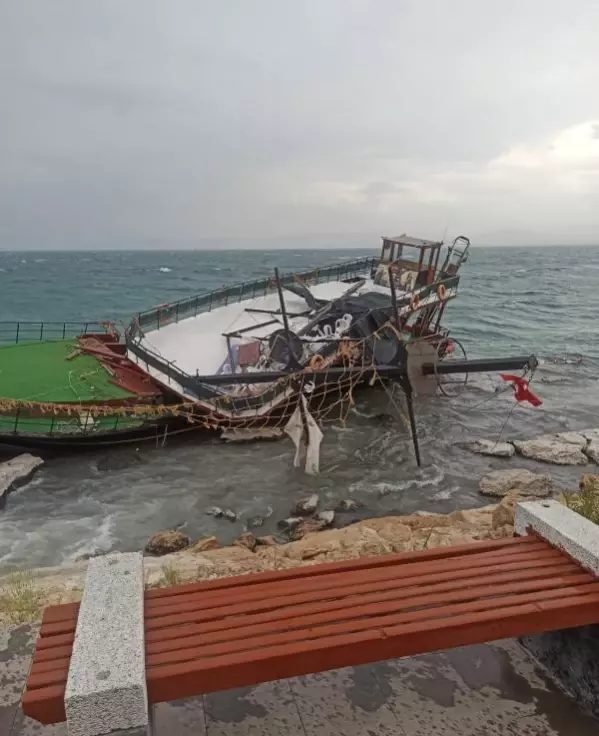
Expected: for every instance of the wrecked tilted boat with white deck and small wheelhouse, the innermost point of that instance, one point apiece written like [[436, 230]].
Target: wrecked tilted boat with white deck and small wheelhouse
[[208, 349]]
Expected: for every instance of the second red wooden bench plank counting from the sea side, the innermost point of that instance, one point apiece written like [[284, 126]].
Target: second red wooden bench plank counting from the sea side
[[176, 604]]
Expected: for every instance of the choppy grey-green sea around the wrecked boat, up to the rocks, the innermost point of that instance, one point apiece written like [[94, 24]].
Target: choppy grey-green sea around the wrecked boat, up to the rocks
[[512, 301]]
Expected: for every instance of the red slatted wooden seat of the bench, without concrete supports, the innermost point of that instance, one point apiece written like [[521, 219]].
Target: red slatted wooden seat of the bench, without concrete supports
[[220, 634]]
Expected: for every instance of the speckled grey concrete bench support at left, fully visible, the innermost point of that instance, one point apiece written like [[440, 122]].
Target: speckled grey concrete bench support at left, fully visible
[[106, 688]]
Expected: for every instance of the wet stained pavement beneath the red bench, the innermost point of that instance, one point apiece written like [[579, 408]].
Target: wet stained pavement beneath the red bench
[[483, 690]]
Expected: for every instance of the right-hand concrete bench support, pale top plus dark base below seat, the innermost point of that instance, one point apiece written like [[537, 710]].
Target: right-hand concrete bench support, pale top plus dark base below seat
[[570, 656]]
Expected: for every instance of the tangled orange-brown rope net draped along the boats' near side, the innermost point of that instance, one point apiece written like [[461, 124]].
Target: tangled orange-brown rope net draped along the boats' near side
[[248, 406]]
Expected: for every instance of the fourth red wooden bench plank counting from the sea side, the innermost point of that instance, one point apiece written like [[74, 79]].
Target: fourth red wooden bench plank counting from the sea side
[[308, 603]]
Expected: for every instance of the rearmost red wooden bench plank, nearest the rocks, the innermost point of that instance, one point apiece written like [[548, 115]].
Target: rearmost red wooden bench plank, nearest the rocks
[[325, 568]]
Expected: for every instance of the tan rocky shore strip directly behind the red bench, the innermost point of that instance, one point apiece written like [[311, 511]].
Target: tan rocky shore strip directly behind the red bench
[[205, 559]]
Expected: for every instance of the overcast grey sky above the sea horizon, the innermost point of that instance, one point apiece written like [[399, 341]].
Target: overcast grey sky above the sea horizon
[[167, 124]]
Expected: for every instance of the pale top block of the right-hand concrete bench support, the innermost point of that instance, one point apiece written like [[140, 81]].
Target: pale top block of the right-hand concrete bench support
[[563, 528]]
